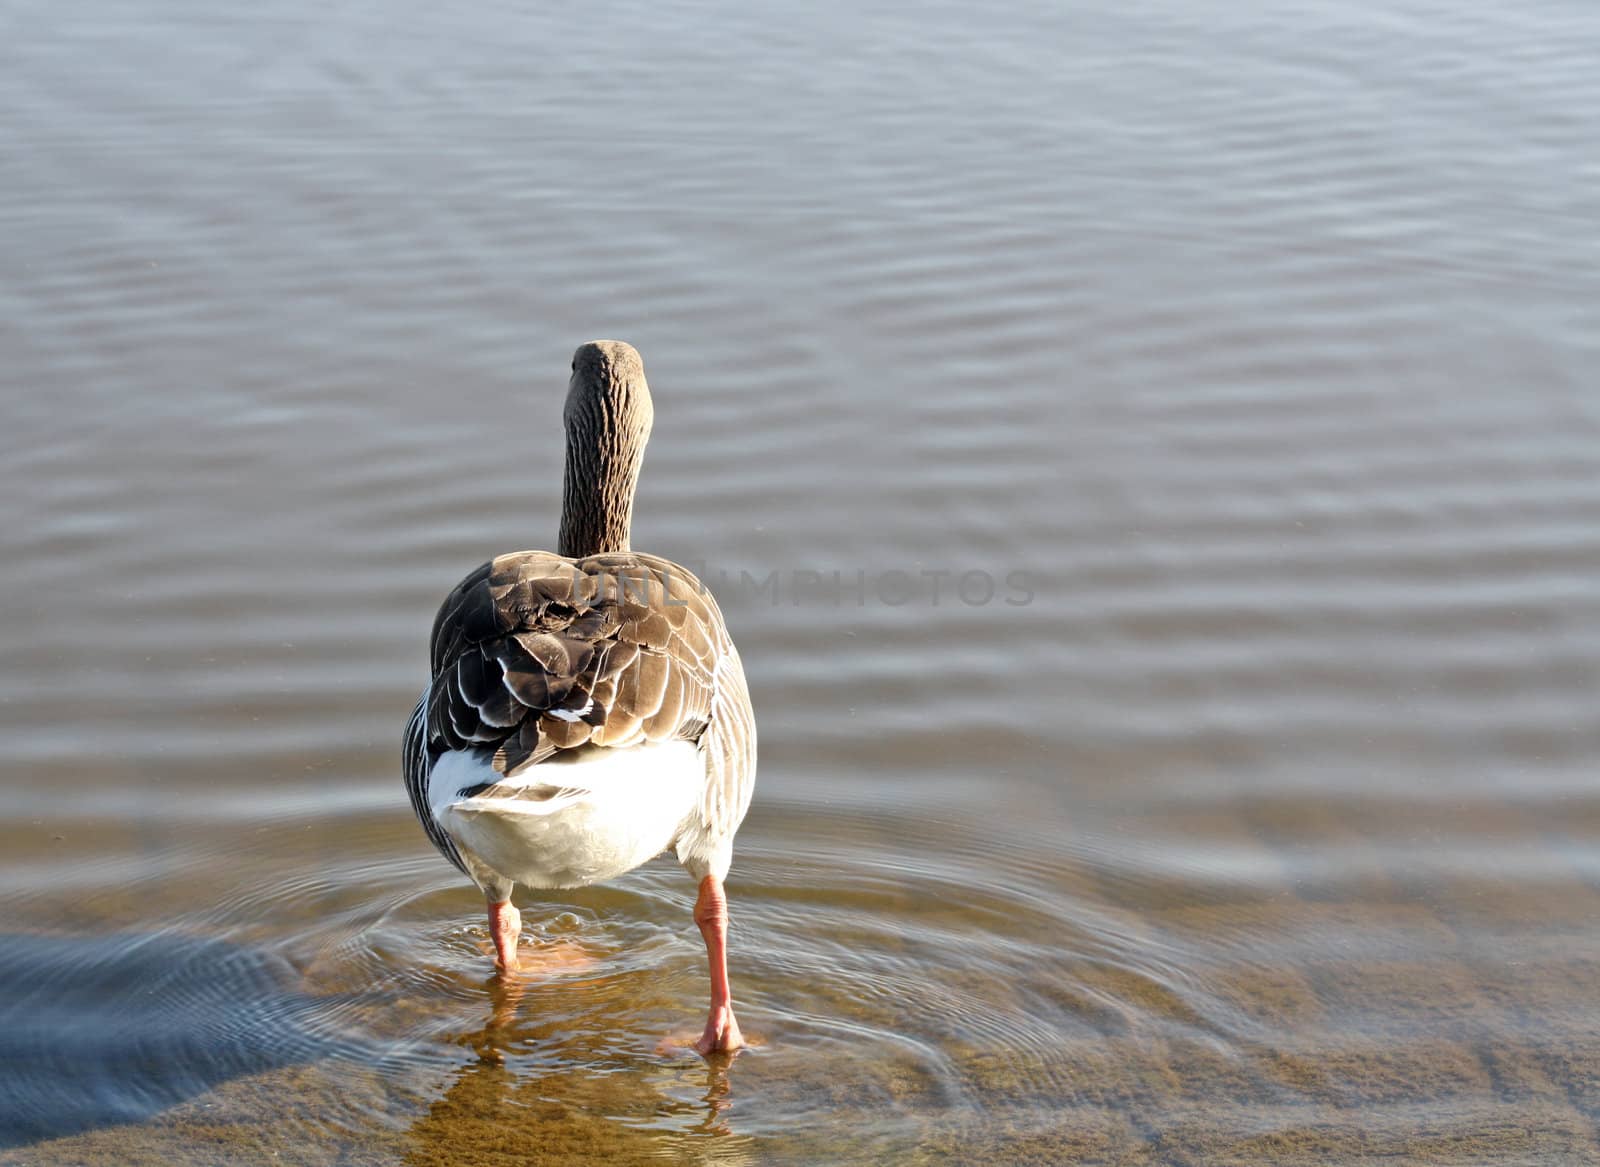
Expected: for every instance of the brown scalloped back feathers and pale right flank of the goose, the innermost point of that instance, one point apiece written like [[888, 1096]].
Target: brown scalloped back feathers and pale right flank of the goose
[[538, 654]]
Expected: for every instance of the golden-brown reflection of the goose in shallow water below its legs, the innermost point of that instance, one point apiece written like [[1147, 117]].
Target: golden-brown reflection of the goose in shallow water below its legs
[[570, 1102]]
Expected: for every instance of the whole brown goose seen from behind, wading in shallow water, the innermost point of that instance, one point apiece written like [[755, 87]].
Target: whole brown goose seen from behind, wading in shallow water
[[586, 708]]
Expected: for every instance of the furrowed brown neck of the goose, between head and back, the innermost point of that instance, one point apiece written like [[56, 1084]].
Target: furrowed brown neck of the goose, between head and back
[[598, 499]]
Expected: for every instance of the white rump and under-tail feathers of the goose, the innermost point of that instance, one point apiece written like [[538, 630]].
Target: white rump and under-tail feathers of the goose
[[578, 822]]
